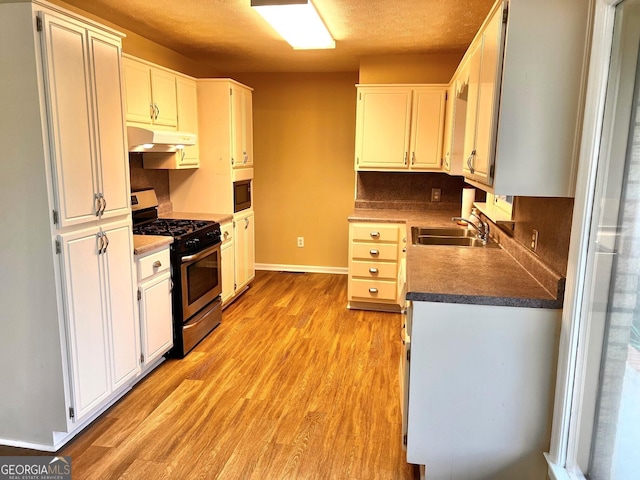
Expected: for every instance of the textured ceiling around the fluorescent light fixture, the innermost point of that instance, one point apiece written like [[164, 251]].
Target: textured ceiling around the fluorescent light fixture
[[233, 36]]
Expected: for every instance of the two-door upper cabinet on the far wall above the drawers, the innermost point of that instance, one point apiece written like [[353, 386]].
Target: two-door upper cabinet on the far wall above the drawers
[[399, 127]]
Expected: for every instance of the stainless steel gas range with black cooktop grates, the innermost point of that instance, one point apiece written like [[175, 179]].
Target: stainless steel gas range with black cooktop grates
[[195, 270]]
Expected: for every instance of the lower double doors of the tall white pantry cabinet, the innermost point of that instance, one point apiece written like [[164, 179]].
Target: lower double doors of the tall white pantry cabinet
[[103, 336]]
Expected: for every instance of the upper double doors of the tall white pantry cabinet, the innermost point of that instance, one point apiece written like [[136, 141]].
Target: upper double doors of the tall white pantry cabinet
[[86, 122]]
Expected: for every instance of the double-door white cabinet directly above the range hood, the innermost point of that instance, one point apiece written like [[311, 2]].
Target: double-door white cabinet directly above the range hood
[[150, 94]]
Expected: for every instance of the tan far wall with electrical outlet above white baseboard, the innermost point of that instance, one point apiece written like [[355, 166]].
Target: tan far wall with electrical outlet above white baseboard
[[304, 142]]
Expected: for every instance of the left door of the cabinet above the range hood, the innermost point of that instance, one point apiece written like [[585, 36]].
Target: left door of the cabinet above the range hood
[[137, 88]]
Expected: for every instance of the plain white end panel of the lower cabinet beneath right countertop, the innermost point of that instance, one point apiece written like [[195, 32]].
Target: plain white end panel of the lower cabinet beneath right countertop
[[478, 389]]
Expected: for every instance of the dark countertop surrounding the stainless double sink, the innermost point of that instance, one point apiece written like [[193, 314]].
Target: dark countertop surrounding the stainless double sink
[[481, 276]]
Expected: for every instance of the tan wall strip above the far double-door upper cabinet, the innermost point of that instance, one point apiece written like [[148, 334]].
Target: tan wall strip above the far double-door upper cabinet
[[427, 68]]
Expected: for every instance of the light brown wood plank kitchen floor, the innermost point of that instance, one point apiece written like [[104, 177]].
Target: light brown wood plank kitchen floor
[[290, 385]]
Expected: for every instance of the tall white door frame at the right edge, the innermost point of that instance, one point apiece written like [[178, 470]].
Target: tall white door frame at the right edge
[[575, 390]]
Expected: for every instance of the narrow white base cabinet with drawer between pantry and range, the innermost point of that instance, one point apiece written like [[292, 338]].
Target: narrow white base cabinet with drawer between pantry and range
[[154, 297]]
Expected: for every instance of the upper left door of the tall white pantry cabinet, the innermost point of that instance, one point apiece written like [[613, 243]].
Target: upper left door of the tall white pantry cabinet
[[70, 122]]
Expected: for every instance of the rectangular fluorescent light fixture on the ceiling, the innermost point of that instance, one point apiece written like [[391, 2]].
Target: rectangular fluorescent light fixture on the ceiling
[[297, 21]]
